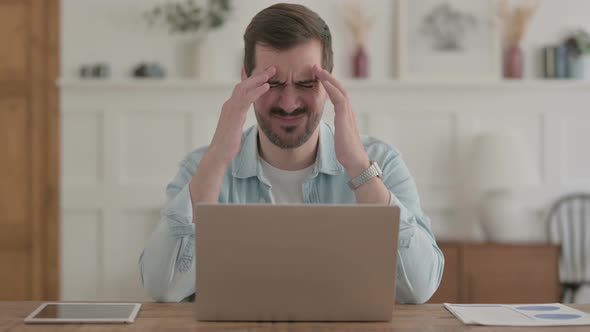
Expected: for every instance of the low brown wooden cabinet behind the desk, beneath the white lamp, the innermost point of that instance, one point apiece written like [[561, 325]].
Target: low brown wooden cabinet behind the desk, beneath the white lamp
[[499, 273]]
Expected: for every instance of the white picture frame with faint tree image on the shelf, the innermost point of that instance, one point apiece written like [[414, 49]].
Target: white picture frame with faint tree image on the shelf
[[448, 40]]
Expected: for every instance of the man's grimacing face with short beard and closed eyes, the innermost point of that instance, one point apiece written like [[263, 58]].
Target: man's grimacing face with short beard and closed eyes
[[291, 110]]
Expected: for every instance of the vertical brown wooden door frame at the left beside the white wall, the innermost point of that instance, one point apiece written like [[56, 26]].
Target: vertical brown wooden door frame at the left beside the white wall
[[46, 154]]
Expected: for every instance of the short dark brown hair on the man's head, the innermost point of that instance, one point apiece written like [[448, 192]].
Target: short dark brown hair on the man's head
[[284, 26]]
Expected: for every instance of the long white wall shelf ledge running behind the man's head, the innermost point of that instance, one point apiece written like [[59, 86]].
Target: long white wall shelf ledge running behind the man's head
[[385, 84]]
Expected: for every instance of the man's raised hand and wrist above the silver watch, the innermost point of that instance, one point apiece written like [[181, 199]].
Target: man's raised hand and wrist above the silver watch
[[349, 148]]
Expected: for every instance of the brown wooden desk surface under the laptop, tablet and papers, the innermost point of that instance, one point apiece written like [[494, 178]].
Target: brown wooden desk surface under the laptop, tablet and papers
[[179, 317]]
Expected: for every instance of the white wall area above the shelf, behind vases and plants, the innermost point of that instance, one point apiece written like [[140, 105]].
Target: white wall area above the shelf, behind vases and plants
[[113, 31]]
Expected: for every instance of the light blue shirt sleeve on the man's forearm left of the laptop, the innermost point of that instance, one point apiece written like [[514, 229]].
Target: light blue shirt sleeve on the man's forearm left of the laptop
[[167, 265]]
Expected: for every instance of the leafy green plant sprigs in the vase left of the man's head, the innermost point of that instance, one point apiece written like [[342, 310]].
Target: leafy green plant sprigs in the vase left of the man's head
[[188, 16]]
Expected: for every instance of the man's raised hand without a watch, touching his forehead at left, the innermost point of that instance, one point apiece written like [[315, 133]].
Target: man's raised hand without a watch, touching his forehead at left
[[227, 139]]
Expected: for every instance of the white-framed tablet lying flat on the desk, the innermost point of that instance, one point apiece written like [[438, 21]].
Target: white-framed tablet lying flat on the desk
[[56, 312]]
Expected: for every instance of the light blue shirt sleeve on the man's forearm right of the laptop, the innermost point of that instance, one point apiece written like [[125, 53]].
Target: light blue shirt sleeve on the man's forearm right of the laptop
[[420, 261]]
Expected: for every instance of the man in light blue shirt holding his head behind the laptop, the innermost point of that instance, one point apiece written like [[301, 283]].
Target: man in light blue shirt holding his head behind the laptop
[[291, 157]]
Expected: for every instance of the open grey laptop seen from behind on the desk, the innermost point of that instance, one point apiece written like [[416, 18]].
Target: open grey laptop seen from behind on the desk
[[295, 262]]
